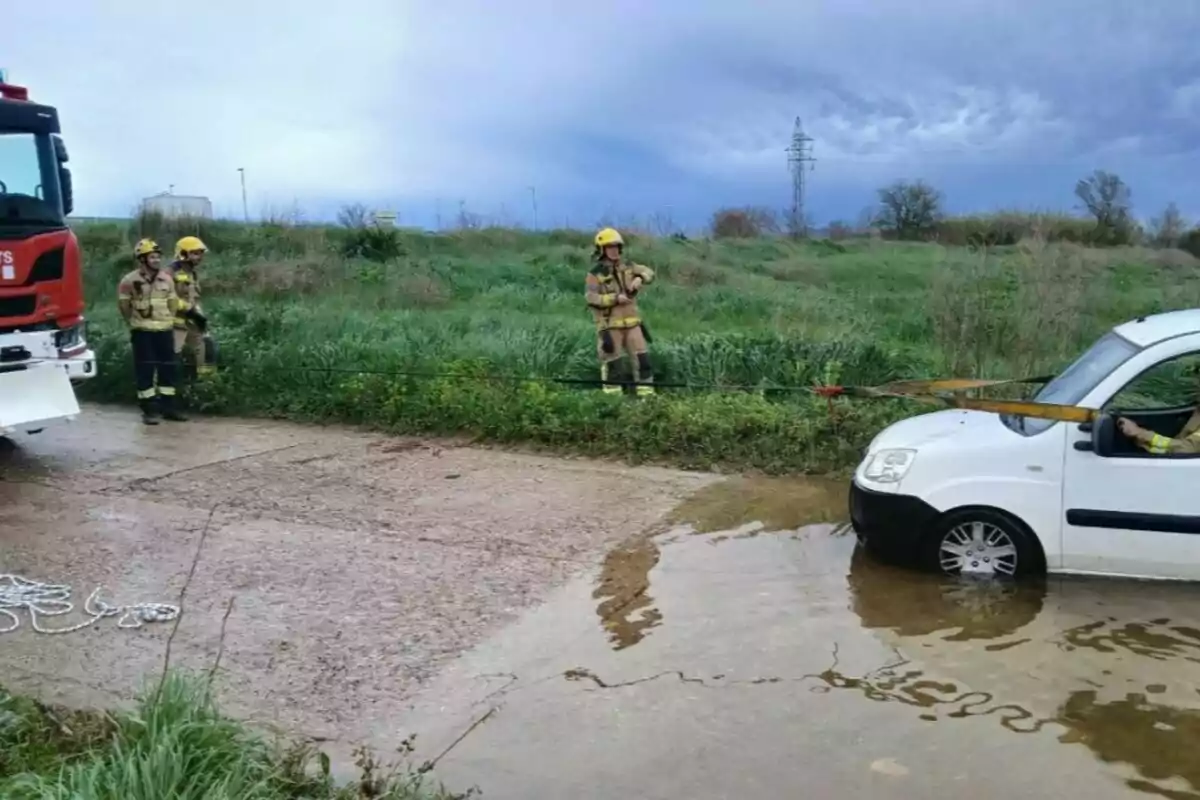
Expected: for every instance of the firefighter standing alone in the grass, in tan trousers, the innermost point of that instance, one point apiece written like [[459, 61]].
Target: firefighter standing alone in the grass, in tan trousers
[[613, 288]]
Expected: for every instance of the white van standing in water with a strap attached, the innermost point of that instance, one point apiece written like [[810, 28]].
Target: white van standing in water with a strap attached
[[974, 492]]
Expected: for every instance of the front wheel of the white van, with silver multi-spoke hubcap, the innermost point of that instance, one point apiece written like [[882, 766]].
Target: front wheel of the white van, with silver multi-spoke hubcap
[[981, 543]]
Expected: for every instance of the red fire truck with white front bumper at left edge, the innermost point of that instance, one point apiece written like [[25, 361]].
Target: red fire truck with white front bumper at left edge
[[44, 345]]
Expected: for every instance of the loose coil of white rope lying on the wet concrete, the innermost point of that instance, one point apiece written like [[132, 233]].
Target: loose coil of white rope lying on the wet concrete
[[19, 594]]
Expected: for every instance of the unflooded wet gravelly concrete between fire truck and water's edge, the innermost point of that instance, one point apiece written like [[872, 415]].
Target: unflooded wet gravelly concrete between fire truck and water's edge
[[358, 564]]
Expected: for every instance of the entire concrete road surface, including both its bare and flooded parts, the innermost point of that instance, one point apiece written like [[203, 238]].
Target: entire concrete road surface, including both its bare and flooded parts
[[700, 639]]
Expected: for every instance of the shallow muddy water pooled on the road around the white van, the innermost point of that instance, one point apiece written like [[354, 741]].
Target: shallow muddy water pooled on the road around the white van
[[754, 648]]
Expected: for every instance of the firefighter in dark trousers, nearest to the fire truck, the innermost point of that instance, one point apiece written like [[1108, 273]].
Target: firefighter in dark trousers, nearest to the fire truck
[[148, 303]]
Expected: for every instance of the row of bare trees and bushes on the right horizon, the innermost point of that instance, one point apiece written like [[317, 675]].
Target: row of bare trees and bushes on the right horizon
[[915, 212]]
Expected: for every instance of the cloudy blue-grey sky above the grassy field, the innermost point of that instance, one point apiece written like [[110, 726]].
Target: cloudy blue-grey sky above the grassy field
[[623, 107]]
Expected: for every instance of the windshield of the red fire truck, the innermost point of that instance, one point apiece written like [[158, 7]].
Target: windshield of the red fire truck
[[29, 181]]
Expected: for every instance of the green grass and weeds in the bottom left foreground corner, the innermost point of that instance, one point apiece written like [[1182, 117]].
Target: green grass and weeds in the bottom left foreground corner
[[176, 744]]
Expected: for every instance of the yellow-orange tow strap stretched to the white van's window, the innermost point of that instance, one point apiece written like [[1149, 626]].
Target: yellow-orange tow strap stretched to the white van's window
[[946, 393]]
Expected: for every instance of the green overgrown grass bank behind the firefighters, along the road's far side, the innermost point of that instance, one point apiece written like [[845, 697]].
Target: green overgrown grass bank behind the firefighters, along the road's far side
[[296, 317]]
